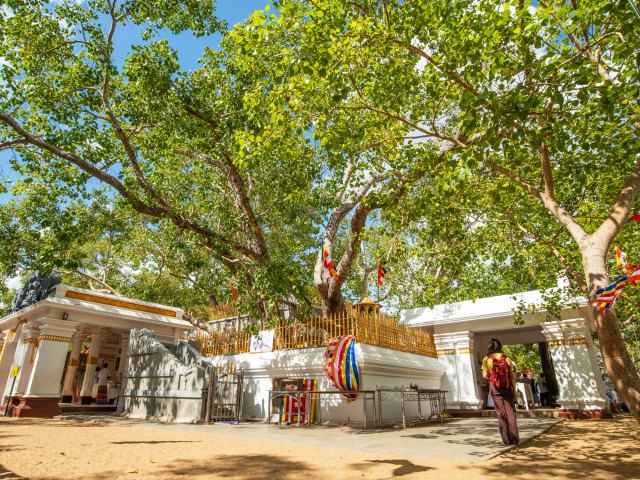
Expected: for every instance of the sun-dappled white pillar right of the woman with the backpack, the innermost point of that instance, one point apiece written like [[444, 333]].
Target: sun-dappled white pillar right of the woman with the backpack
[[574, 359]]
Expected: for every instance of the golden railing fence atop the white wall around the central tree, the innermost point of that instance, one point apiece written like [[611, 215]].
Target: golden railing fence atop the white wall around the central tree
[[375, 329]]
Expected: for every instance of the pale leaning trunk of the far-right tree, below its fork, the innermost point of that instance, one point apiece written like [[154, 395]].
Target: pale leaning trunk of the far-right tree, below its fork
[[617, 361]]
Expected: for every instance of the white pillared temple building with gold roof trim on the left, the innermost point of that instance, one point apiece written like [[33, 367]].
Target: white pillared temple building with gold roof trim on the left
[[41, 345]]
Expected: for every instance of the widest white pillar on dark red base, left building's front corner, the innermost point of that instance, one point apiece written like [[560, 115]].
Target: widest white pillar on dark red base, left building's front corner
[[42, 394]]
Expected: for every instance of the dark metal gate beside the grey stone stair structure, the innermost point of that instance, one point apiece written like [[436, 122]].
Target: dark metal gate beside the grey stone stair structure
[[224, 398]]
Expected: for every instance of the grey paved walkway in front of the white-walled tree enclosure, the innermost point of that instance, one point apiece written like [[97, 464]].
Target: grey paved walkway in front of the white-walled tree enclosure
[[461, 440]]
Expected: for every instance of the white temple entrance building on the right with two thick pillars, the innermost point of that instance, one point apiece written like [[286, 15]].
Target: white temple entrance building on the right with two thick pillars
[[462, 331]]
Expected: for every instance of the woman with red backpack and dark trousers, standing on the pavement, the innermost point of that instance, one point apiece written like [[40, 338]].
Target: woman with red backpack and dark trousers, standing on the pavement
[[500, 372]]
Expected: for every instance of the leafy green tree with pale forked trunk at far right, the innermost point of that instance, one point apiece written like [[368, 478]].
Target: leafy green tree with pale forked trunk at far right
[[536, 102]]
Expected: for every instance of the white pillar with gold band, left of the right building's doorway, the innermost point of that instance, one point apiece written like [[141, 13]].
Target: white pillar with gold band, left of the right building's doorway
[[456, 354]]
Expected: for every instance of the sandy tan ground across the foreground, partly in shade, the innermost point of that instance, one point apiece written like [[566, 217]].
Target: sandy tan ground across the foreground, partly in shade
[[53, 449]]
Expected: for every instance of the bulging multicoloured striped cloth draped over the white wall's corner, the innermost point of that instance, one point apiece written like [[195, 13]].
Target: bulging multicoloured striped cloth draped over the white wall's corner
[[341, 364]]
